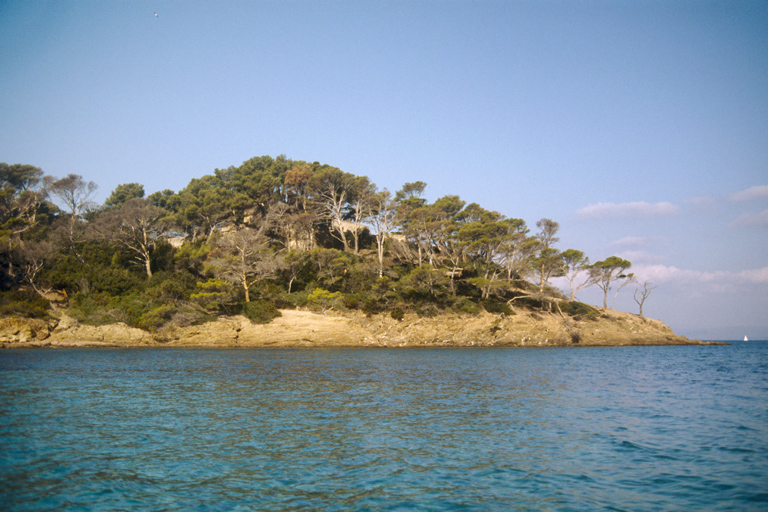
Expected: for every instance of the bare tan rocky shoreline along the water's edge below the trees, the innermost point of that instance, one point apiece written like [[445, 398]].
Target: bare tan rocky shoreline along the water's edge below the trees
[[297, 328]]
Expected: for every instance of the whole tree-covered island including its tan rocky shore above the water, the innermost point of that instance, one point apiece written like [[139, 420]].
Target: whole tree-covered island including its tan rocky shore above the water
[[284, 253]]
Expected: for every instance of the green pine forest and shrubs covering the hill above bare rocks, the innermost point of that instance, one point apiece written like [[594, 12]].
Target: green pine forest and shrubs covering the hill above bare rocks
[[271, 234]]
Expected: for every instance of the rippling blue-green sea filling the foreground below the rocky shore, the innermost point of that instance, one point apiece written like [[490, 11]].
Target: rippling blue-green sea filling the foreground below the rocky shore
[[546, 429]]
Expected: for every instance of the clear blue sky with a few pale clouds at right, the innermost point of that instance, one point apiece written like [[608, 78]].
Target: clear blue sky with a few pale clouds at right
[[641, 127]]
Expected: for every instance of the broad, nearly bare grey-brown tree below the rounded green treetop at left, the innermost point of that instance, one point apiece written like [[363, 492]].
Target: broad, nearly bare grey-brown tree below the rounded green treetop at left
[[137, 225]]
